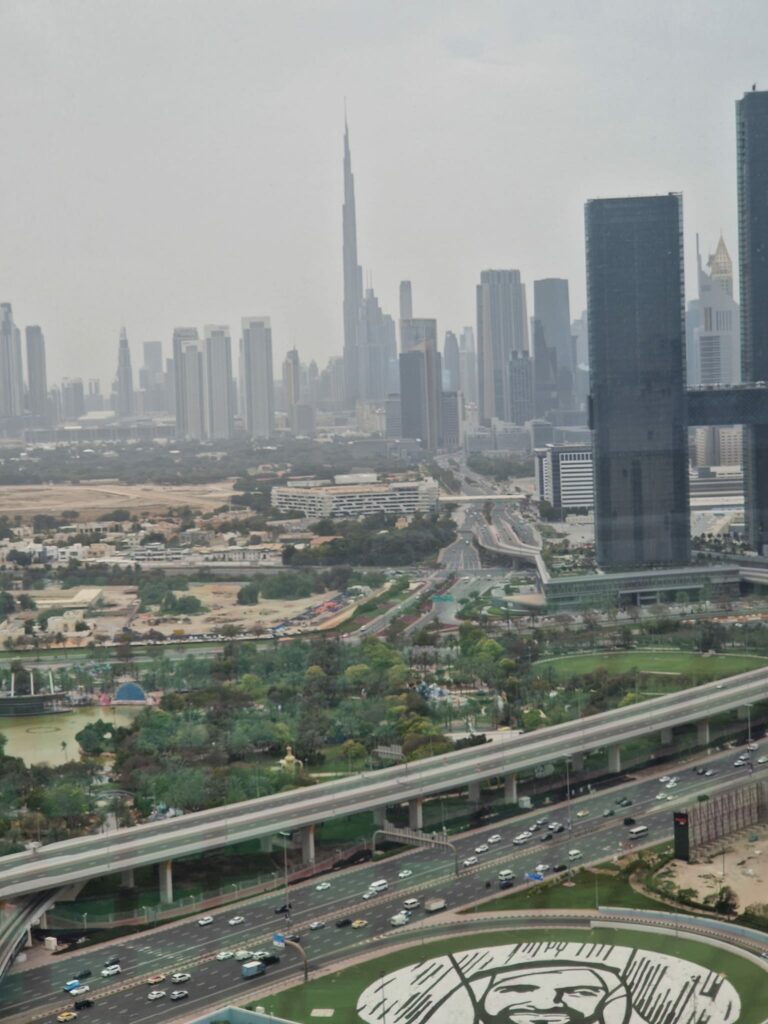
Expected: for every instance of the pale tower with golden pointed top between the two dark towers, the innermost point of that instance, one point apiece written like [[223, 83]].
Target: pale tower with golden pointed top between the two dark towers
[[712, 324]]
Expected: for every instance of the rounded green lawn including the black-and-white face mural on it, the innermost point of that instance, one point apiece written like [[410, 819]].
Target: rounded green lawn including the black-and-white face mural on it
[[633, 971]]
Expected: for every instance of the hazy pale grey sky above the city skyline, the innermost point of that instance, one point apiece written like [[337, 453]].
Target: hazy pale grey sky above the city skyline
[[180, 163]]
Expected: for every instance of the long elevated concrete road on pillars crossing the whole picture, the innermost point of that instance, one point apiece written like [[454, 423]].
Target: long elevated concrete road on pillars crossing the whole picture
[[77, 861]]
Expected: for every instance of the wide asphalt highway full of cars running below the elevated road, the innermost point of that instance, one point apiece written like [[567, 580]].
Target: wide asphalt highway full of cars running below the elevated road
[[36, 994]]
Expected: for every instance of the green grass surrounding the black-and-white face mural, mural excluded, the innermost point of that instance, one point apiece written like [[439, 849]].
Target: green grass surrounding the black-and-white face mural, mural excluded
[[340, 992]]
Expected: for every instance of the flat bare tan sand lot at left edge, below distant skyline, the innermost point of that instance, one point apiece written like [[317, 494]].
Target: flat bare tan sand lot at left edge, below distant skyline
[[94, 499]]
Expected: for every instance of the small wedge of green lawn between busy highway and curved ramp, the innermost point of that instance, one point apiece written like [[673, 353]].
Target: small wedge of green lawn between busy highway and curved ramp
[[584, 895]]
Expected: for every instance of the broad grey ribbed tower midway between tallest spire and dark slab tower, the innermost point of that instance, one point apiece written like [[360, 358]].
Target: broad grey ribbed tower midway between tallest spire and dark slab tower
[[502, 329]]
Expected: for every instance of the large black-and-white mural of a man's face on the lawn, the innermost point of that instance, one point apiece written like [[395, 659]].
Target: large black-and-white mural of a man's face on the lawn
[[551, 984]]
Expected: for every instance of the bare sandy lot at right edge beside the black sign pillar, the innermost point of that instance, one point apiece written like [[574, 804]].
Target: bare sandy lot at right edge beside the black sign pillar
[[746, 869]]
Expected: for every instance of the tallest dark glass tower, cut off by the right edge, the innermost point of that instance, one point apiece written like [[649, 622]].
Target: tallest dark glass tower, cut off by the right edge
[[752, 154]]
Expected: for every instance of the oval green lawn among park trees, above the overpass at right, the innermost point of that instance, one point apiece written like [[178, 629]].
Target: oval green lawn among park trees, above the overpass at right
[[699, 667]]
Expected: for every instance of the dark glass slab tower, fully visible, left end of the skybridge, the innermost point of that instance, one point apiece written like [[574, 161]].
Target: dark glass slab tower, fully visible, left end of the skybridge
[[635, 292]]
